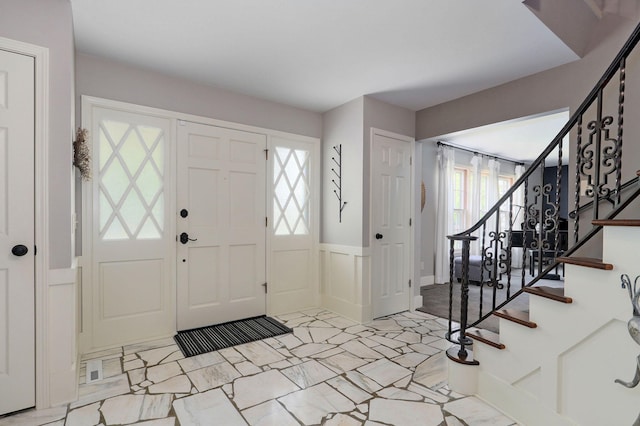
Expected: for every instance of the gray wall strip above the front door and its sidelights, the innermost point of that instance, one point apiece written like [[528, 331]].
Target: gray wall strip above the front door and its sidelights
[[121, 82]]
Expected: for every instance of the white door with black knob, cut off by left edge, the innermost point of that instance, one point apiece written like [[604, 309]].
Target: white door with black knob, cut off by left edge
[[17, 328]]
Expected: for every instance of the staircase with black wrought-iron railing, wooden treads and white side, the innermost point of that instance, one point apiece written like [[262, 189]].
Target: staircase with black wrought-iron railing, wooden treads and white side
[[557, 362]]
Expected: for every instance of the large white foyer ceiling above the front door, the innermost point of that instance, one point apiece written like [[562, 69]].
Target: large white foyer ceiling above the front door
[[319, 54]]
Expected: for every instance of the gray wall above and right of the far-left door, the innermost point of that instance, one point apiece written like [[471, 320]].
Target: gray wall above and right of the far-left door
[[49, 24]]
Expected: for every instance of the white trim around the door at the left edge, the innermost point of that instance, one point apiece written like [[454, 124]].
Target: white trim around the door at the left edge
[[41, 144]]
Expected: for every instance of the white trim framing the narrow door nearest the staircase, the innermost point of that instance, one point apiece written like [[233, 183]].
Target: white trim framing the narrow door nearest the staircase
[[410, 273]]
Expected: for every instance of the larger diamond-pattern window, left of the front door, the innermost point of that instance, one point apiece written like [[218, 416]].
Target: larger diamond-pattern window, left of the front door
[[131, 181]]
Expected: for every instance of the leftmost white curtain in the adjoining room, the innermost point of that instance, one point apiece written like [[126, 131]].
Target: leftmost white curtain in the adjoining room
[[444, 226]]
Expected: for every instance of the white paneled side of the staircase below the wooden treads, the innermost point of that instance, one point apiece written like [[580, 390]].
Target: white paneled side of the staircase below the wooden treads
[[563, 371]]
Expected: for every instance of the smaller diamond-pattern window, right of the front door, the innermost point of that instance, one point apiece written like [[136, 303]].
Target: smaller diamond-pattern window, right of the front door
[[291, 200]]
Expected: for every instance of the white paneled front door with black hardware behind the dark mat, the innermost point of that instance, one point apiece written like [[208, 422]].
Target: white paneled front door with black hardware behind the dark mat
[[221, 225]]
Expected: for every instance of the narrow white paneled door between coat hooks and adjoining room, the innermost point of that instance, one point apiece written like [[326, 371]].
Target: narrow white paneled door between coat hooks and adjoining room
[[390, 203]]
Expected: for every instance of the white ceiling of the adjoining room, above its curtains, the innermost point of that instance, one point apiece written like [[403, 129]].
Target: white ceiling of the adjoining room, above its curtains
[[520, 140]]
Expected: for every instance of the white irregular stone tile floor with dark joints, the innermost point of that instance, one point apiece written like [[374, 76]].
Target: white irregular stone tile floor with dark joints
[[329, 371]]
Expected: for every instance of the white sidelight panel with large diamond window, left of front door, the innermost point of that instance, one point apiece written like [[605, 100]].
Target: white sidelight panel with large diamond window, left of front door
[[131, 249]]
